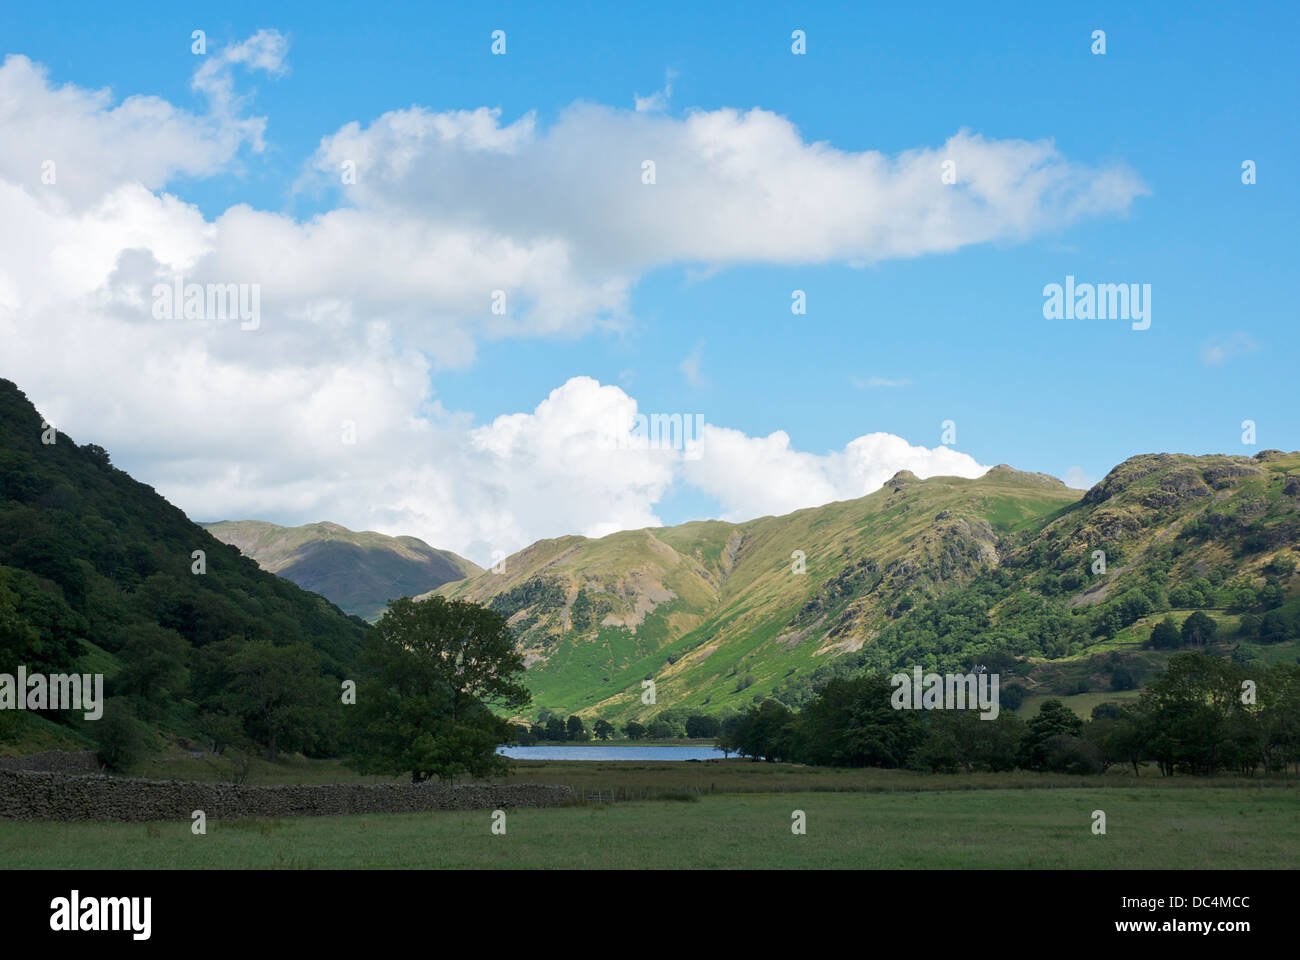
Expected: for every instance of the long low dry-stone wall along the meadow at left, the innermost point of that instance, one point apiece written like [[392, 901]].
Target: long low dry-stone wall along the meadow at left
[[27, 795]]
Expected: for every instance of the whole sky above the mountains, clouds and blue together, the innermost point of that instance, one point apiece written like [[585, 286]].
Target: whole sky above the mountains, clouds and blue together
[[384, 180]]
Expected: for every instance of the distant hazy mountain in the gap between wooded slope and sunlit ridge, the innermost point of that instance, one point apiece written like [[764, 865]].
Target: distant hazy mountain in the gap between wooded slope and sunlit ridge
[[359, 572]]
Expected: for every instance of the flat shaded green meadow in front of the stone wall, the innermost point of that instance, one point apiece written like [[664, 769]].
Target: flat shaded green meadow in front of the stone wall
[[1221, 828]]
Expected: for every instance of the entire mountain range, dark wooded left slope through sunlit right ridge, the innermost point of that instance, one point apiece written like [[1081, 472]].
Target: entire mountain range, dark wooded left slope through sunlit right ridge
[[1055, 587]]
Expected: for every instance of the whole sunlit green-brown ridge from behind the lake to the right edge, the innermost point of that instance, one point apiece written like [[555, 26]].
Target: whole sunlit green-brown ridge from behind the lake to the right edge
[[944, 573]]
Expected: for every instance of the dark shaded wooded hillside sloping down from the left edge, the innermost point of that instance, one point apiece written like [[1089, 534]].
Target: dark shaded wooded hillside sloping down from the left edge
[[102, 574]]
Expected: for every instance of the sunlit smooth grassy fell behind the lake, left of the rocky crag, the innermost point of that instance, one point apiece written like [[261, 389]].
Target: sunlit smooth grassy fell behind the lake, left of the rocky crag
[[710, 609]]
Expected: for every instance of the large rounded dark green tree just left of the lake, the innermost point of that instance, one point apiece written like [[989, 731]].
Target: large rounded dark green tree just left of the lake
[[437, 669]]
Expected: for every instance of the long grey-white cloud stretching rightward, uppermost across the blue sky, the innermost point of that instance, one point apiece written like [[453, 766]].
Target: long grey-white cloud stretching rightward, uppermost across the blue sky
[[730, 187]]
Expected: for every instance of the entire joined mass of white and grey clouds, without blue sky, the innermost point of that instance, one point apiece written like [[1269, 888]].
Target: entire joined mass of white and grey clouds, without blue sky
[[366, 302]]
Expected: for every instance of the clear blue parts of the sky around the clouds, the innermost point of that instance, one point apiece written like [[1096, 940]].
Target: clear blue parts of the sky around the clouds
[[1182, 97]]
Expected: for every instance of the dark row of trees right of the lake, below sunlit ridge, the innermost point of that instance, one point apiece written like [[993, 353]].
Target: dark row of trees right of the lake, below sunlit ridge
[[1202, 716]]
